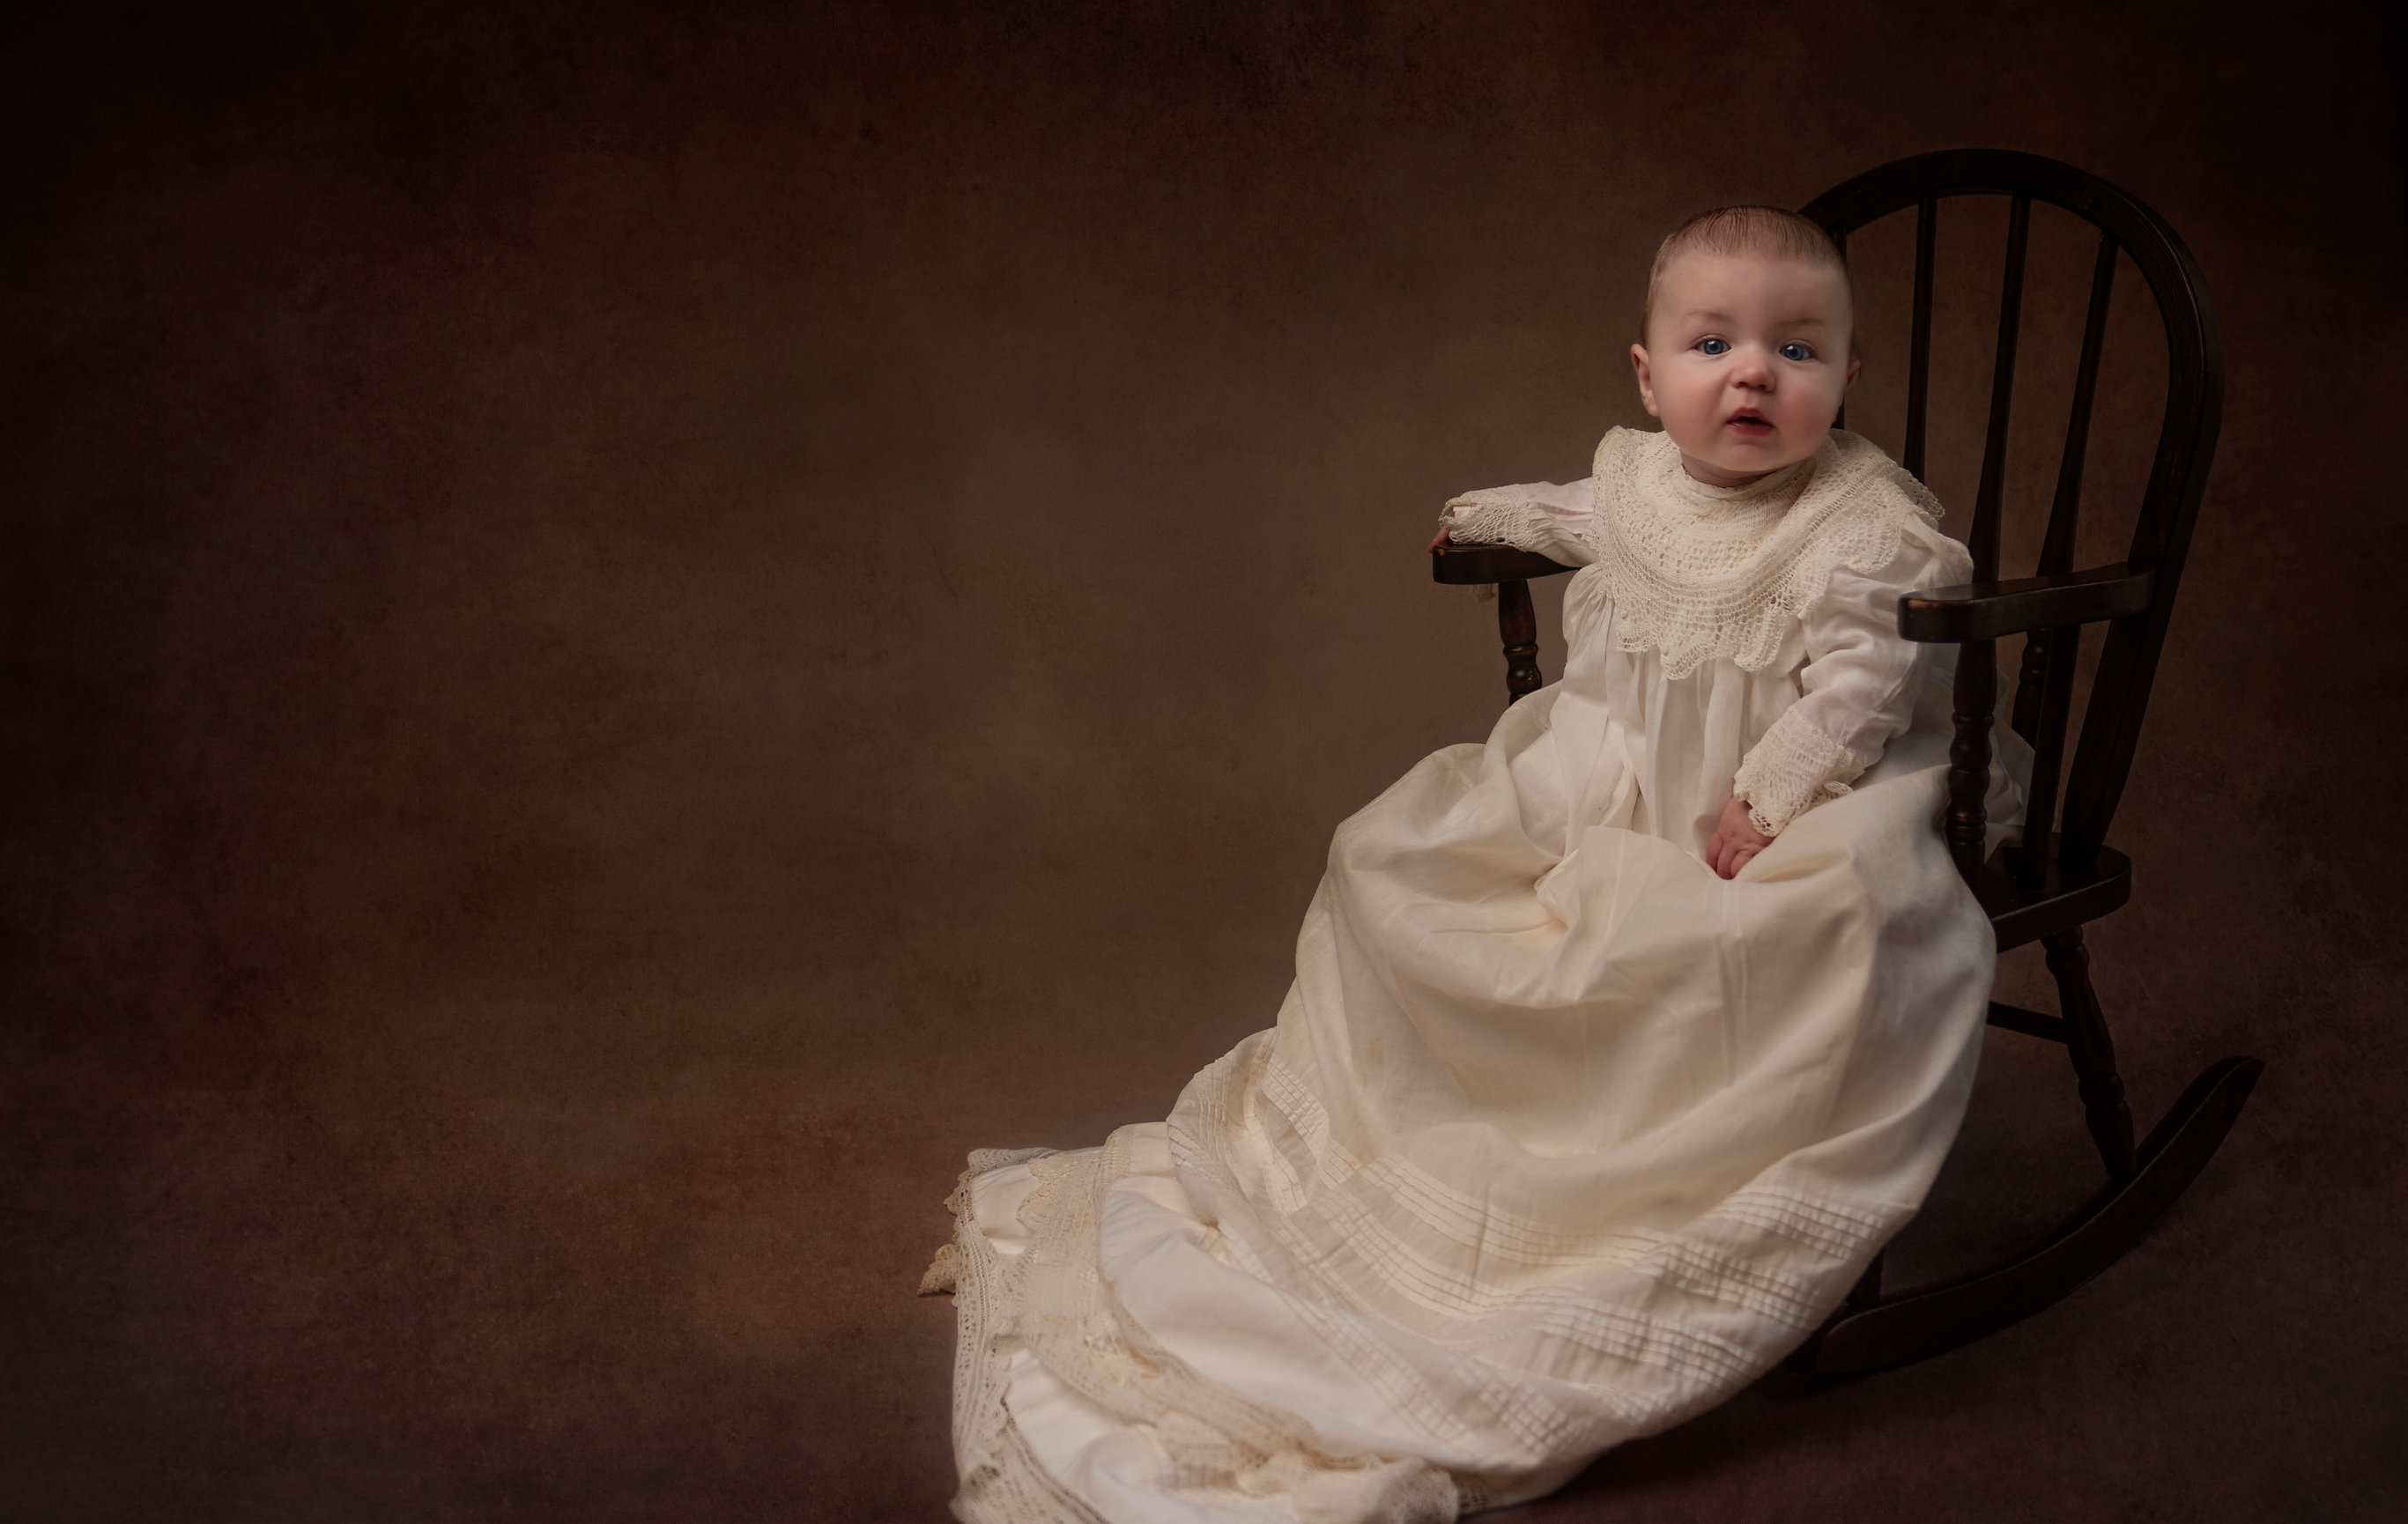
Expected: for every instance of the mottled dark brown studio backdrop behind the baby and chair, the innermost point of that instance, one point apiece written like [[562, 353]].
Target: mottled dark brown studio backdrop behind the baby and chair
[[632, 627]]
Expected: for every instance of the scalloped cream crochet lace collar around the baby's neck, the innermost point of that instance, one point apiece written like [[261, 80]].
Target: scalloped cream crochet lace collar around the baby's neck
[[1718, 572]]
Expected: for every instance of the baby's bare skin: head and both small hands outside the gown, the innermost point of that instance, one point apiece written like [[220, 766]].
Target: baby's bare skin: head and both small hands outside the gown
[[1747, 350]]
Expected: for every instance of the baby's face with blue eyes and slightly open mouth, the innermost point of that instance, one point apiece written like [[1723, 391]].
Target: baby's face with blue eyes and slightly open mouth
[[1747, 362]]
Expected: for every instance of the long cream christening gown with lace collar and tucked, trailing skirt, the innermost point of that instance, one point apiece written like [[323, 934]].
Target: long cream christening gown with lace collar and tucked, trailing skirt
[[1559, 1138]]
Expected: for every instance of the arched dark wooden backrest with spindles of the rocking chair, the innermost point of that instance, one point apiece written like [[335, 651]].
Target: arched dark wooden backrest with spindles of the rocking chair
[[2195, 386]]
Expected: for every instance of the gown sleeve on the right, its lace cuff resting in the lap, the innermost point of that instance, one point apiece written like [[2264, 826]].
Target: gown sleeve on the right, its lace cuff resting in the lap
[[1858, 685]]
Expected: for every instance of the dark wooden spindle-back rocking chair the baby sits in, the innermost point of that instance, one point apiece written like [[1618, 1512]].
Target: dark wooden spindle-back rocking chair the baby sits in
[[2067, 878]]
